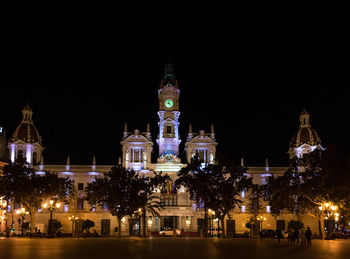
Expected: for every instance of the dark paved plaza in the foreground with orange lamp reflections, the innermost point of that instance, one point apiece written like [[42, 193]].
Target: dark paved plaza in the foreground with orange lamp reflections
[[168, 248]]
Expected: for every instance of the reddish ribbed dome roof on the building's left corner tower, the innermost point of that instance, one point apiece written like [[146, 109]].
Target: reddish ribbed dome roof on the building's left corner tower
[[26, 130]]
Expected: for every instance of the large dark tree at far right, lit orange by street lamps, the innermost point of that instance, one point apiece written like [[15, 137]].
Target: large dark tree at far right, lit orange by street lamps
[[319, 177]]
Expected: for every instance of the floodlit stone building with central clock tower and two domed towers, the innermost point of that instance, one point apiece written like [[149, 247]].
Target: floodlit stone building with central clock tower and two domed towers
[[137, 146]]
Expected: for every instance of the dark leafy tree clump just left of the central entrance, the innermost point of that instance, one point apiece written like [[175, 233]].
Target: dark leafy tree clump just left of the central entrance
[[124, 192]]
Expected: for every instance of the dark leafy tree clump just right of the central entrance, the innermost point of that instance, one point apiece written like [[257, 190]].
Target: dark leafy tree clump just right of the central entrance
[[216, 186]]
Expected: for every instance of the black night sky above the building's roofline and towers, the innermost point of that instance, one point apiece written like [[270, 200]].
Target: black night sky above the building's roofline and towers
[[87, 68]]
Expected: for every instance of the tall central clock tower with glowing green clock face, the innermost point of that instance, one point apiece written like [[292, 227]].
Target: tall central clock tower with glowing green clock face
[[168, 94]]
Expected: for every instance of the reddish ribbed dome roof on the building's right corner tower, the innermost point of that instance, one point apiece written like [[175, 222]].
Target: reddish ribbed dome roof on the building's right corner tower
[[305, 134]]
